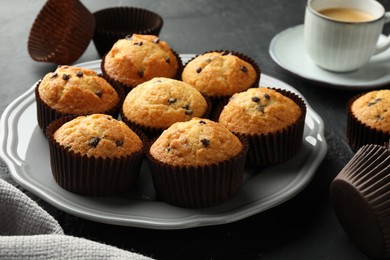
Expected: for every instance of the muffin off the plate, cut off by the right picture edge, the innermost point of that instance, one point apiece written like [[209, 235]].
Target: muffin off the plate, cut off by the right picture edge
[[368, 118]]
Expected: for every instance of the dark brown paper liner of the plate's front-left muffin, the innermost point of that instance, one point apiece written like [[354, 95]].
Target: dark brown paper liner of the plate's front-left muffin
[[91, 176]]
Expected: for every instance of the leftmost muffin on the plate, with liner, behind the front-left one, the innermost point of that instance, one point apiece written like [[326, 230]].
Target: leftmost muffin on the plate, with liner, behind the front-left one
[[74, 91]]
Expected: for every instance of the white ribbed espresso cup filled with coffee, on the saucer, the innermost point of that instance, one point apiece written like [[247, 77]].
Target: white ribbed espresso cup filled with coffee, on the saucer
[[342, 35]]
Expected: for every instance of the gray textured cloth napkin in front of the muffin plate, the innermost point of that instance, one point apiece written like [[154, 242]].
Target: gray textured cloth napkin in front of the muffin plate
[[29, 232]]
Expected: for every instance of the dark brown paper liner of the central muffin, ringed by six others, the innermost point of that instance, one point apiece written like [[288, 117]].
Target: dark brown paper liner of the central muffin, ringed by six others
[[152, 132]]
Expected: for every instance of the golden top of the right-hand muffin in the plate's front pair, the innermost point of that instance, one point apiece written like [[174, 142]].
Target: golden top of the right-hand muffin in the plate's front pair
[[195, 142]]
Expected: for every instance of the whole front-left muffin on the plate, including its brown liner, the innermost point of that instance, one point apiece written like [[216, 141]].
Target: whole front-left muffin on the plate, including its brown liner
[[94, 155]]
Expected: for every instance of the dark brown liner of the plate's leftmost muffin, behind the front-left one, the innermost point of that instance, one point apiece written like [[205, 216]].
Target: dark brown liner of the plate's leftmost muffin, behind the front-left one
[[46, 114]]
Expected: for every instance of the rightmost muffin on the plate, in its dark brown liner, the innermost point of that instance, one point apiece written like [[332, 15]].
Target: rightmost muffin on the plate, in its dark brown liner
[[271, 119]]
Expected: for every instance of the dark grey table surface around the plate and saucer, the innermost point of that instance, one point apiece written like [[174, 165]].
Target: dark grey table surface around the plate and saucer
[[304, 227]]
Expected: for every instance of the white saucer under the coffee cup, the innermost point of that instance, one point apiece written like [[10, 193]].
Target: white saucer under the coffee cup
[[287, 49]]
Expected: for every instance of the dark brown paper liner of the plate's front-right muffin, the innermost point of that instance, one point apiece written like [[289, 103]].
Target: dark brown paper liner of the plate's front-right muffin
[[198, 186]]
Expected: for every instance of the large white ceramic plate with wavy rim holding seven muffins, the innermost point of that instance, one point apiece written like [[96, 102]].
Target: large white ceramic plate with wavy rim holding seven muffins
[[25, 150]]
